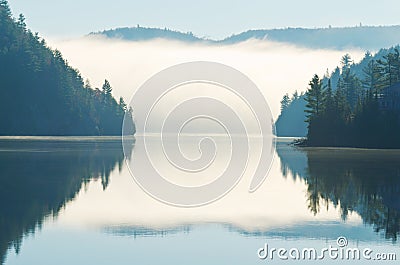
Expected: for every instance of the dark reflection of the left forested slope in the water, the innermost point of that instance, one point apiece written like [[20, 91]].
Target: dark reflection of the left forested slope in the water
[[38, 176]]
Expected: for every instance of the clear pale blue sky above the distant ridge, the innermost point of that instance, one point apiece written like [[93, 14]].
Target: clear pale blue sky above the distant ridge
[[209, 18]]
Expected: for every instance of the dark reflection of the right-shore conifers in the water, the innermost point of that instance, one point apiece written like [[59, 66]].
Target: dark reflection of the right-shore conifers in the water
[[363, 181]]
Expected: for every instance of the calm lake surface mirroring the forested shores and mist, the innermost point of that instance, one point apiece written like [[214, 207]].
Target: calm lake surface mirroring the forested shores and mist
[[72, 200]]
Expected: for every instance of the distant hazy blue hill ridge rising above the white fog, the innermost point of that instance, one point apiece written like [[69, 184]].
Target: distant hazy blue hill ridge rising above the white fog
[[364, 37]]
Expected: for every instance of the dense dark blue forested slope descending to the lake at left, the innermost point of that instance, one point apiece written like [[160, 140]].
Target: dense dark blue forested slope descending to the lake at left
[[41, 94]]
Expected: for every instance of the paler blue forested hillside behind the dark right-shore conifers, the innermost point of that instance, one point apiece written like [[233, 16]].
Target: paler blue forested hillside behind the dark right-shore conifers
[[353, 76]]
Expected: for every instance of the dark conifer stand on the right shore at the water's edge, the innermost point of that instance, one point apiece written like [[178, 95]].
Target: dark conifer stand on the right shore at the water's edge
[[349, 113]]
